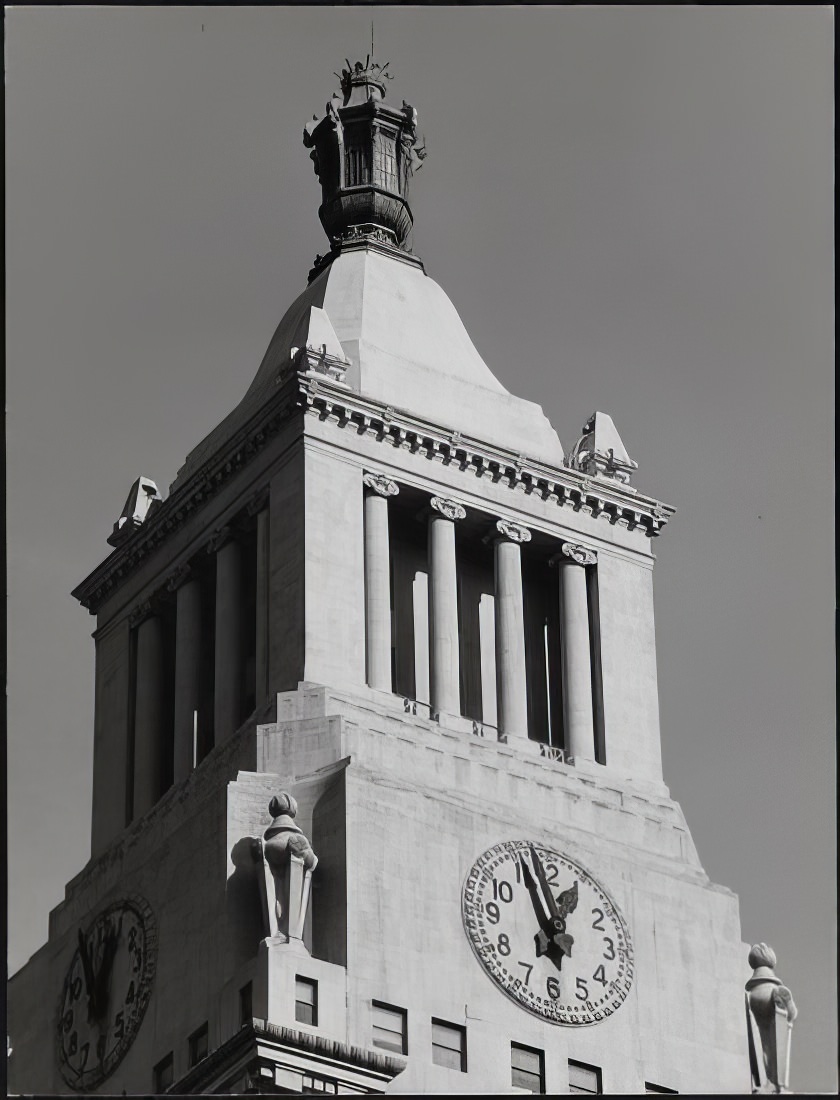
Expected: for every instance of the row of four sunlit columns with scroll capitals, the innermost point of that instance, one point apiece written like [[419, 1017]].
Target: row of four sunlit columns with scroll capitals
[[512, 692]]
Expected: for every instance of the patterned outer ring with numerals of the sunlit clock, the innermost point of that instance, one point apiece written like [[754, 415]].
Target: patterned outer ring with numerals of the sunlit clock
[[479, 930]]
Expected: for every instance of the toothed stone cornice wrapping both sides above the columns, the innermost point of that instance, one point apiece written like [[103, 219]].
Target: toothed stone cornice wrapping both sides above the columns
[[317, 395]]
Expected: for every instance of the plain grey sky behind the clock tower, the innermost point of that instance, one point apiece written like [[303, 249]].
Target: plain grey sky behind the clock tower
[[632, 208]]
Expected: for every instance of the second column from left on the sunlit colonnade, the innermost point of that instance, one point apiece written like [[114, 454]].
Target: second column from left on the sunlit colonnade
[[445, 672]]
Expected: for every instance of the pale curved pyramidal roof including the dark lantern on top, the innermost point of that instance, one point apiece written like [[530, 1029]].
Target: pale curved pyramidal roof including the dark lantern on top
[[370, 304]]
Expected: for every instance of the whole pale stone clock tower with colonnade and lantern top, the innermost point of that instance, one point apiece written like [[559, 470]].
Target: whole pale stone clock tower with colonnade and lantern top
[[378, 788]]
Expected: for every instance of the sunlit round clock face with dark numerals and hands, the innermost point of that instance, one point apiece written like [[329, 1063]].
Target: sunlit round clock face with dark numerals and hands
[[547, 933]]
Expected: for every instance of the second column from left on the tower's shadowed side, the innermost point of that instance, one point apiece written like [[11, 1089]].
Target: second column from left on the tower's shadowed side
[[187, 667]]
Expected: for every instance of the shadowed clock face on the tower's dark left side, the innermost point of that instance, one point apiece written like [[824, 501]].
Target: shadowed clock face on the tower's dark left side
[[106, 993]]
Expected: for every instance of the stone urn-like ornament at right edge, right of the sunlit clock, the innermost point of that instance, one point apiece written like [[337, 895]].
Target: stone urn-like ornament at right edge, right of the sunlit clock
[[770, 1020]]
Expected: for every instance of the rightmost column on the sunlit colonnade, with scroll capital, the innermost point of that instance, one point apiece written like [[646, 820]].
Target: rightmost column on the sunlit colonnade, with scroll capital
[[574, 619]]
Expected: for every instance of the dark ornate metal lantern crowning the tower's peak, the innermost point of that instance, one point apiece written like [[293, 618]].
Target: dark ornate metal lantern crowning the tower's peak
[[364, 152]]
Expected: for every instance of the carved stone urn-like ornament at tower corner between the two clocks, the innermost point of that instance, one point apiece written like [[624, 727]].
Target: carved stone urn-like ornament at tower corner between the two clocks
[[289, 863]]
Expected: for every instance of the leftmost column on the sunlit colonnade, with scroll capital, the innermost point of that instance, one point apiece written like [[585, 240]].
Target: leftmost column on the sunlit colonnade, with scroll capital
[[378, 581]]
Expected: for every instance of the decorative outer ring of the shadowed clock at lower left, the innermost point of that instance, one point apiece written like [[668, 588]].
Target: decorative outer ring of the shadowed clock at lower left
[[102, 1071]]
